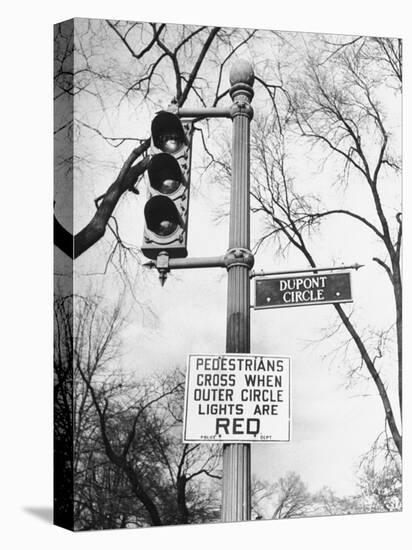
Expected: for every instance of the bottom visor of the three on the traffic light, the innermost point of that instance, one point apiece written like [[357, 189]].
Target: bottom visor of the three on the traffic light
[[162, 216]]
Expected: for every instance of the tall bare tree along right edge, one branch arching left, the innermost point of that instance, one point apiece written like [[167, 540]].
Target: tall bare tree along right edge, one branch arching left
[[346, 114]]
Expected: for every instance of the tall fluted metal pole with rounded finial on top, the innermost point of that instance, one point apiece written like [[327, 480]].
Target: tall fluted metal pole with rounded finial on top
[[236, 503]]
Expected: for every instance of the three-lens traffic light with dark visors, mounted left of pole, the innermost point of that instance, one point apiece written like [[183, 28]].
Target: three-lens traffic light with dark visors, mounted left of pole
[[166, 211]]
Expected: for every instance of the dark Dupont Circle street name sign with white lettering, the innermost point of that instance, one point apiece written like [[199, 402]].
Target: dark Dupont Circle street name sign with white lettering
[[302, 290]]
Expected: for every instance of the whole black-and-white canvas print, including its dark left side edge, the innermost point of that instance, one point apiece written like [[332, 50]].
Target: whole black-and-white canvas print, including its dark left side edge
[[229, 343]]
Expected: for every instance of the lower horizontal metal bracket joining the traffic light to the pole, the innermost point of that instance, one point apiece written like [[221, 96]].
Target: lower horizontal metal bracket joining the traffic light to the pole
[[234, 256]]
